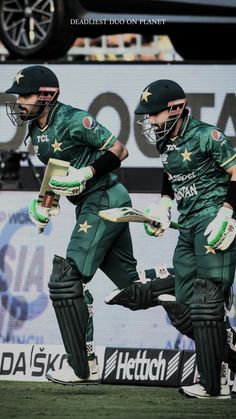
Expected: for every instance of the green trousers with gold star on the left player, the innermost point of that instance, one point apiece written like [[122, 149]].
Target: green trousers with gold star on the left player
[[96, 243]]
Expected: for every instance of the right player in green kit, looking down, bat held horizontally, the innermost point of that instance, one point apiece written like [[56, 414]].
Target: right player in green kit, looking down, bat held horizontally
[[200, 173]]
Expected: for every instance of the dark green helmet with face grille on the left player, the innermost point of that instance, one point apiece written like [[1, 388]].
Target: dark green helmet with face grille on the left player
[[36, 79]]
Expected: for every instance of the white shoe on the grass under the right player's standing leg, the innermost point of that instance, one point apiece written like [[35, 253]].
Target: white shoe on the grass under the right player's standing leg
[[198, 391]]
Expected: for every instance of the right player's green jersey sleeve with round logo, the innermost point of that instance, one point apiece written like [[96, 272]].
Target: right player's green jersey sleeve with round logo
[[218, 146]]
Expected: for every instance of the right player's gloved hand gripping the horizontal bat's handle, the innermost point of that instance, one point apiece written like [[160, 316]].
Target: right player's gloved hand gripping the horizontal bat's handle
[[161, 212]]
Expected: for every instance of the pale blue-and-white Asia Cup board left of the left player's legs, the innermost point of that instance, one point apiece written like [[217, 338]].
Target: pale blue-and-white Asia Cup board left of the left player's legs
[[26, 315]]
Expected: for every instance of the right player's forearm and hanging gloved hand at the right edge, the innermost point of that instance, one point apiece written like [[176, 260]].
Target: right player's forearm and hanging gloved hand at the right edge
[[221, 231]]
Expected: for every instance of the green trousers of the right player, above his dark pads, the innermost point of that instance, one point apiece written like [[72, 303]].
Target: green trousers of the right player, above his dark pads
[[193, 258]]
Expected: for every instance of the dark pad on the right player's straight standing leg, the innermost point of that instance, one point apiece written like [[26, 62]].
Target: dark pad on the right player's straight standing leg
[[207, 314]]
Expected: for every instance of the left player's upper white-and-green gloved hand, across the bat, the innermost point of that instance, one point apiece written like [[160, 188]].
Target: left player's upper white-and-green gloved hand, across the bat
[[72, 184]]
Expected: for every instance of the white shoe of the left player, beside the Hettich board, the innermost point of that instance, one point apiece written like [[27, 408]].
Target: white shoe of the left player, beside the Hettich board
[[67, 376]]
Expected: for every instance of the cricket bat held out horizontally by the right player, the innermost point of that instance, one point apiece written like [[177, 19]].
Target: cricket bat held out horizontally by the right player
[[129, 214]]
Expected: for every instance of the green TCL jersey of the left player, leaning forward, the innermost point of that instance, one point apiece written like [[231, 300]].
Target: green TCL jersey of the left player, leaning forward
[[75, 136]]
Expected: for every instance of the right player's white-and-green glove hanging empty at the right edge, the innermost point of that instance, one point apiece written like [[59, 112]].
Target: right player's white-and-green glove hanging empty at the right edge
[[221, 231]]
